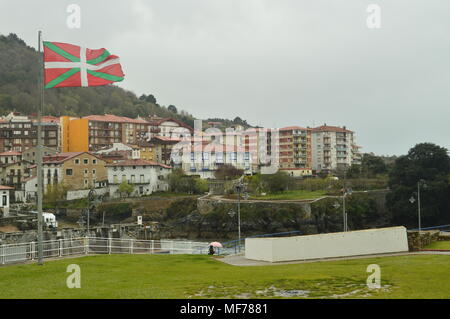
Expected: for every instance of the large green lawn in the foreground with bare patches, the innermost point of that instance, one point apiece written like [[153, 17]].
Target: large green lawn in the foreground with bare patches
[[194, 276]]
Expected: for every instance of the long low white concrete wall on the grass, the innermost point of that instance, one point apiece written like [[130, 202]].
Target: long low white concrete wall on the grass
[[353, 243]]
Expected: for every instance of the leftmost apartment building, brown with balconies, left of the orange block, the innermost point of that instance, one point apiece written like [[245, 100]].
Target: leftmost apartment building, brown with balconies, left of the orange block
[[19, 132]]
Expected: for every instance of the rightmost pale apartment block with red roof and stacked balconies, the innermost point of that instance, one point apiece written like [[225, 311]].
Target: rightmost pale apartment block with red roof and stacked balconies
[[333, 148]]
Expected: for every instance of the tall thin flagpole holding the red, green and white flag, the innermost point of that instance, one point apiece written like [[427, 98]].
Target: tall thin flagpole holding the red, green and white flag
[[39, 150]]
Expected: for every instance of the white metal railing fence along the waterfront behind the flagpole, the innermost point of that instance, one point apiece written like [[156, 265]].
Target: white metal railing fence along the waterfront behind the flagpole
[[14, 253]]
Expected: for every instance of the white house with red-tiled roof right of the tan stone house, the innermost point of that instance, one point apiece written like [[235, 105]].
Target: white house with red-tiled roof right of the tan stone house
[[146, 176]]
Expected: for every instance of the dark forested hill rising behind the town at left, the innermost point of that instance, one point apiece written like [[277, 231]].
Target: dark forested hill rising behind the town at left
[[18, 90]]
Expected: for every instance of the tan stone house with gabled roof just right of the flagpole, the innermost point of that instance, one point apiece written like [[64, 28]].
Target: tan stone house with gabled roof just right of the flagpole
[[77, 170]]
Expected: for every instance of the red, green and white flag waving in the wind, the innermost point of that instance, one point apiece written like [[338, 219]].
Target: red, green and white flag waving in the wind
[[70, 65]]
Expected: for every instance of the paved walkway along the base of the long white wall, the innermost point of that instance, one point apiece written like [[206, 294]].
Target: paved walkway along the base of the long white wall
[[240, 260]]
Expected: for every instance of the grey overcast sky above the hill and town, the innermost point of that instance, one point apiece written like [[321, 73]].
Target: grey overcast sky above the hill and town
[[273, 63]]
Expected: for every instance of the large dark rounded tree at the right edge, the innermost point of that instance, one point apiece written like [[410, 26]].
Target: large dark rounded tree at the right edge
[[427, 162]]
